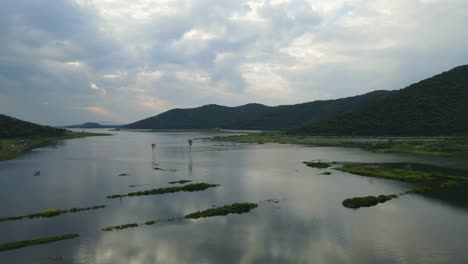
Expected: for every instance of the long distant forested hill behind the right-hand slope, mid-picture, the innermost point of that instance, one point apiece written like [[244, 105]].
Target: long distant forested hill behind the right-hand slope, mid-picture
[[255, 116]]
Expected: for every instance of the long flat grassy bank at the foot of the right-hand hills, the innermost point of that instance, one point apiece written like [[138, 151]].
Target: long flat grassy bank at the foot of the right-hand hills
[[432, 146]]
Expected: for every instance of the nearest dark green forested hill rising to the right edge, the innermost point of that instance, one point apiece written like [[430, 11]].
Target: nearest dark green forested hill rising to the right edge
[[437, 106]]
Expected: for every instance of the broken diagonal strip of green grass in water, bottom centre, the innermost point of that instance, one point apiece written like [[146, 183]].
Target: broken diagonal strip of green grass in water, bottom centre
[[236, 208]]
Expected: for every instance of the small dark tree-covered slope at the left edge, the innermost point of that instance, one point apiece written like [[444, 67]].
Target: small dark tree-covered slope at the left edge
[[14, 128]]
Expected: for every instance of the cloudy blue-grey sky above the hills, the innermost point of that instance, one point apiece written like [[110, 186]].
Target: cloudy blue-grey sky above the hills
[[117, 61]]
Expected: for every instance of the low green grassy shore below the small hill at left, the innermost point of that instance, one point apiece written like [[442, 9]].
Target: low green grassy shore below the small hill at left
[[13, 147]]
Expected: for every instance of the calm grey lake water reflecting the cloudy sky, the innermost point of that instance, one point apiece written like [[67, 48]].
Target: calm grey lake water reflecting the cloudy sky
[[308, 225]]
